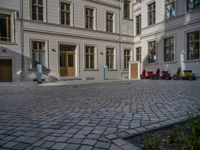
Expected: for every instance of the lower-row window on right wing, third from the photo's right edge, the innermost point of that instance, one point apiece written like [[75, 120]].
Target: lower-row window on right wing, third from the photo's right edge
[[152, 52]]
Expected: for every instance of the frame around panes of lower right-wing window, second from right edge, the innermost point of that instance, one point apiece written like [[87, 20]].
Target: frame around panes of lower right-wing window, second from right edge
[[165, 47]]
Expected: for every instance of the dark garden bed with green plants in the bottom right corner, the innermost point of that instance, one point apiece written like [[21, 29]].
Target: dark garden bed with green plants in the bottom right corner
[[181, 136]]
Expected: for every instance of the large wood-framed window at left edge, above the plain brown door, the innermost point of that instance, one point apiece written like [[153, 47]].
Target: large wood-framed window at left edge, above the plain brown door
[[5, 27]]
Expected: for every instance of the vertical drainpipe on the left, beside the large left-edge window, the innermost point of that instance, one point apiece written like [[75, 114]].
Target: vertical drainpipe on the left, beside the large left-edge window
[[22, 38]]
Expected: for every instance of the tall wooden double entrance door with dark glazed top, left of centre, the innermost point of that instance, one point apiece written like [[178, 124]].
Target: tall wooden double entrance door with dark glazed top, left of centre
[[67, 60]]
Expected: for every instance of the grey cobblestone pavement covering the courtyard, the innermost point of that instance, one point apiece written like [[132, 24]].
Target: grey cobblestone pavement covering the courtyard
[[95, 116]]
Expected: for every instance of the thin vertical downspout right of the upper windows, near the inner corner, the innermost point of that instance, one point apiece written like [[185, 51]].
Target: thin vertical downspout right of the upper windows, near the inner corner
[[120, 67]]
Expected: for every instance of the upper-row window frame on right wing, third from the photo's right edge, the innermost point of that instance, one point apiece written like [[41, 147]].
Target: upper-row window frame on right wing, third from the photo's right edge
[[151, 13]]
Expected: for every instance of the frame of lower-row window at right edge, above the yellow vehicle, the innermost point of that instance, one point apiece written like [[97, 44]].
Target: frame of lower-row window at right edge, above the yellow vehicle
[[187, 48]]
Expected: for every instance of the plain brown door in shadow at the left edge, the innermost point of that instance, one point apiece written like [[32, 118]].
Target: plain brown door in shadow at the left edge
[[5, 70]]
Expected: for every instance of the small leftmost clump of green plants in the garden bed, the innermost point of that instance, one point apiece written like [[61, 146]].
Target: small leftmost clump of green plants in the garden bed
[[153, 143]]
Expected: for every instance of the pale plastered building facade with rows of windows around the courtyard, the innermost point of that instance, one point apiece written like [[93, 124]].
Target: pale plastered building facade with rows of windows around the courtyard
[[77, 38]]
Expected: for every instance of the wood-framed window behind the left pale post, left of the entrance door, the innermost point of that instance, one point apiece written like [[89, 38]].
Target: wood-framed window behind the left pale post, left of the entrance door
[[38, 53]]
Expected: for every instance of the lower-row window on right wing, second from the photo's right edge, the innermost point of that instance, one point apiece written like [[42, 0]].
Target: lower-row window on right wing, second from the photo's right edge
[[169, 49]]
